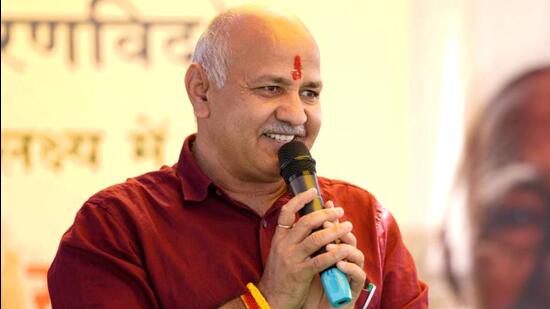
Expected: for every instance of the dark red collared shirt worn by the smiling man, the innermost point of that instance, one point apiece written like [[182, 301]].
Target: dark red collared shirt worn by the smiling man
[[172, 239]]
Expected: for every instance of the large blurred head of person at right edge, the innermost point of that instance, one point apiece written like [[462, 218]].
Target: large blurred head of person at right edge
[[506, 174]]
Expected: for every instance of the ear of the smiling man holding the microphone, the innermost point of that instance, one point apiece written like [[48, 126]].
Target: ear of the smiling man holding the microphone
[[196, 84]]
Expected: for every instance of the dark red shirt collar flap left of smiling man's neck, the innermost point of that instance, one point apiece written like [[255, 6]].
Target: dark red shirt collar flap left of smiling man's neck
[[194, 183]]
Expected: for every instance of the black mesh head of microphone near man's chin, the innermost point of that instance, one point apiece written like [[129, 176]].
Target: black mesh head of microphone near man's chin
[[294, 158]]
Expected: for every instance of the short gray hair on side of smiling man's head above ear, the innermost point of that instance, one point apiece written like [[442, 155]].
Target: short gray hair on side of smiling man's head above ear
[[212, 49]]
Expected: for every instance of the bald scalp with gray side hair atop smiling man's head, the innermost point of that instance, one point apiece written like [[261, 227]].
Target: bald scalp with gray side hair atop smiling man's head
[[244, 28]]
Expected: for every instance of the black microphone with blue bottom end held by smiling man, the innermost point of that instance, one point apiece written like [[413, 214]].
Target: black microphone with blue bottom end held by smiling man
[[298, 171]]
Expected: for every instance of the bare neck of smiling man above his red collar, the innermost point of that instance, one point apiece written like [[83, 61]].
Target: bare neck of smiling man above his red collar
[[256, 194]]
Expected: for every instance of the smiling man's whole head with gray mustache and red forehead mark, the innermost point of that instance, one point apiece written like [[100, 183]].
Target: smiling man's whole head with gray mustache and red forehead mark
[[256, 83]]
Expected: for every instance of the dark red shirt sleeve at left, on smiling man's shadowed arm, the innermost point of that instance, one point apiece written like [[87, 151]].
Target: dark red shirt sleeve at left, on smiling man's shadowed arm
[[98, 265]]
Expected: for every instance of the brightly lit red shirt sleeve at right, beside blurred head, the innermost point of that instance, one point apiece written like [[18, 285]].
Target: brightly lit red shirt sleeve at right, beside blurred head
[[401, 286]]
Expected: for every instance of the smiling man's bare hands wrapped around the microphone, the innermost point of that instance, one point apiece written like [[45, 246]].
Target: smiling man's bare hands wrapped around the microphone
[[290, 268]]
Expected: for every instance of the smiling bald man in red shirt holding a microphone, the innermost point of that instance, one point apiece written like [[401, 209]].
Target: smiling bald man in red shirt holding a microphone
[[195, 234]]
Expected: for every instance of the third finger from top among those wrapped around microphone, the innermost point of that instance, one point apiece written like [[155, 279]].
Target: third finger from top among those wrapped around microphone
[[321, 238]]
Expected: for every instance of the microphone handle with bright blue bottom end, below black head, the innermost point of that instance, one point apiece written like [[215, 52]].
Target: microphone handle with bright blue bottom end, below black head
[[335, 282]]
